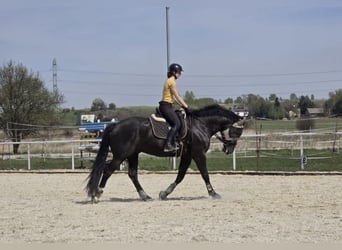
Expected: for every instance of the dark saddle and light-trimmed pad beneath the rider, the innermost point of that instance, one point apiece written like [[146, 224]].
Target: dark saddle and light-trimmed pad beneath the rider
[[160, 127]]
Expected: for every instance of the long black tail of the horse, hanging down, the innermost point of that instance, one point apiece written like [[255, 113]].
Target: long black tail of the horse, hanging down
[[99, 164]]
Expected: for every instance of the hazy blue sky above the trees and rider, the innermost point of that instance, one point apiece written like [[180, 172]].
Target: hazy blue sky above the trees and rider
[[116, 50]]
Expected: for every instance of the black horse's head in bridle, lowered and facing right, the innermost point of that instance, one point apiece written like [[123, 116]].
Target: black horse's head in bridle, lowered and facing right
[[230, 136]]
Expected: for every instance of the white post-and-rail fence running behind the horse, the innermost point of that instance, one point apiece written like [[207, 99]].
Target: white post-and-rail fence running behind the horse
[[85, 149]]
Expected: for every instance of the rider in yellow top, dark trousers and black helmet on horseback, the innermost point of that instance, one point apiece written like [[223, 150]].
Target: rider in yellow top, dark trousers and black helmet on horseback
[[169, 95]]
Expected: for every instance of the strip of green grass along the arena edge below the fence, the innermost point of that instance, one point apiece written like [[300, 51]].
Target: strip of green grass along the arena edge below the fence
[[268, 160]]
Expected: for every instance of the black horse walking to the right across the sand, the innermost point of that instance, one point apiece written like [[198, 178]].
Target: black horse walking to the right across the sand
[[134, 135]]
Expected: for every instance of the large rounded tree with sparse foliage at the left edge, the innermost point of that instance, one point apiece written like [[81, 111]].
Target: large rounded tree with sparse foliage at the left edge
[[24, 101]]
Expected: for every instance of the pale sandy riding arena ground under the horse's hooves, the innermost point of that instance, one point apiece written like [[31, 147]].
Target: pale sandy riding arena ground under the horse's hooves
[[53, 208]]
